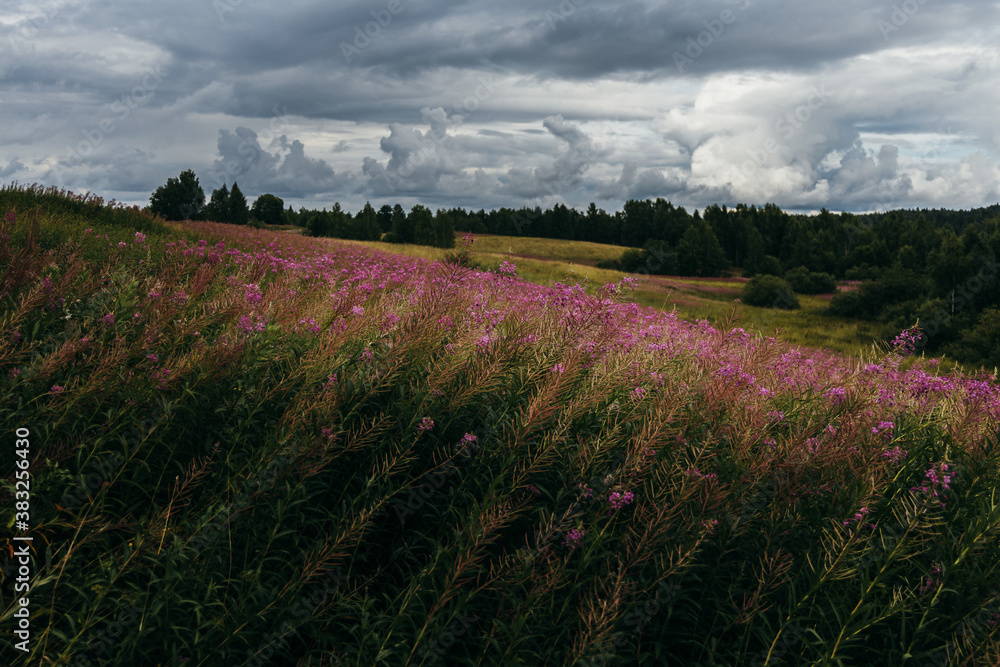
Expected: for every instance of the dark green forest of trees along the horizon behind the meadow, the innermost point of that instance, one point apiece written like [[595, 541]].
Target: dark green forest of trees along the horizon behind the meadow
[[932, 267]]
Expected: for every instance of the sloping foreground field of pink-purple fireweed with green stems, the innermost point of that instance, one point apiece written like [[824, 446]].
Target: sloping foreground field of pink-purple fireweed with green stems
[[225, 418]]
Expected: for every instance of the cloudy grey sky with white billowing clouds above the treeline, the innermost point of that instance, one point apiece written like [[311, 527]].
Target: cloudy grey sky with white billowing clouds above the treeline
[[848, 105]]
